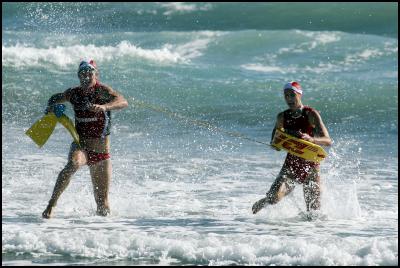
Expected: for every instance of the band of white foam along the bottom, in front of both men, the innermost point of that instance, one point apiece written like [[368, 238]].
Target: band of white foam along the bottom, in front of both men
[[193, 248]]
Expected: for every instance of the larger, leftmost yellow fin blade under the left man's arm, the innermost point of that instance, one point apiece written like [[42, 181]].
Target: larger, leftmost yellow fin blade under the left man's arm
[[41, 130]]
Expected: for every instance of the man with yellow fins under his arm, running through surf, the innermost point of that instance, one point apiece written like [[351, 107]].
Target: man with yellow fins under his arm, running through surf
[[92, 103]]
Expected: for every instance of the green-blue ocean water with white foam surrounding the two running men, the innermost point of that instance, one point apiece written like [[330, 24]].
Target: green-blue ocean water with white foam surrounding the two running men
[[181, 193]]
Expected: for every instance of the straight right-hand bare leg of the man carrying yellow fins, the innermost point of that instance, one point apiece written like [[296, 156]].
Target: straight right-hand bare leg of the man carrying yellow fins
[[101, 177]]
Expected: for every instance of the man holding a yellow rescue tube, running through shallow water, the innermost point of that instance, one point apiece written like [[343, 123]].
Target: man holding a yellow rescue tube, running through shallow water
[[307, 124]]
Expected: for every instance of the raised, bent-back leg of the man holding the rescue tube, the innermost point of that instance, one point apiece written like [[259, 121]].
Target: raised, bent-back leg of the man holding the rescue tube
[[279, 189]]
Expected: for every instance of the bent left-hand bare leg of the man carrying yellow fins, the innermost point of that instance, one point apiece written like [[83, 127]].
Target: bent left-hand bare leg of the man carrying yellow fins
[[76, 159]]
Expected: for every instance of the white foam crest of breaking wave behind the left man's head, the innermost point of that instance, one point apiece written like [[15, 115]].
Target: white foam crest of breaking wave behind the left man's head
[[63, 56]]
